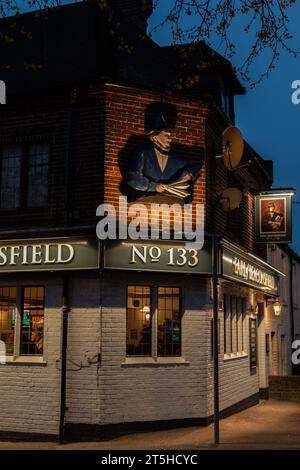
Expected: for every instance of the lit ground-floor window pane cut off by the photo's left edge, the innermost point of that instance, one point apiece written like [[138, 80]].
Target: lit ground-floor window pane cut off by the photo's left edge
[[7, 317]]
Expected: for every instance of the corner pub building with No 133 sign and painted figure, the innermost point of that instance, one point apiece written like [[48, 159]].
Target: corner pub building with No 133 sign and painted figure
[[107, 336]]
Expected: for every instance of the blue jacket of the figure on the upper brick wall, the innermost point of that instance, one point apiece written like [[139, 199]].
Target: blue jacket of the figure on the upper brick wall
[[145, 173]]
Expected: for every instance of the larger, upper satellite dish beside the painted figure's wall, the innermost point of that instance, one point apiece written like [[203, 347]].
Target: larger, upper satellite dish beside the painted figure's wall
[[233, 147]]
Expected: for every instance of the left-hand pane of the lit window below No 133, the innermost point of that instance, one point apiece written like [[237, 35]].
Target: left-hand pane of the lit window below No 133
[[138, 335]]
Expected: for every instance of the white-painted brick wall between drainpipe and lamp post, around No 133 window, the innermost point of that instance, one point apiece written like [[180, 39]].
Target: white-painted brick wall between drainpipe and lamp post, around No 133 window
[[125, 392]]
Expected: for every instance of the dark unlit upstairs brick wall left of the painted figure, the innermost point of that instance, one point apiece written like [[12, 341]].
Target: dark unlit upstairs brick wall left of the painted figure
[[50, 119]]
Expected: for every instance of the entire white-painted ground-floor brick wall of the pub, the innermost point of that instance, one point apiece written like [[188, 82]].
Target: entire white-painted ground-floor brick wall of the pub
[[118, 392]]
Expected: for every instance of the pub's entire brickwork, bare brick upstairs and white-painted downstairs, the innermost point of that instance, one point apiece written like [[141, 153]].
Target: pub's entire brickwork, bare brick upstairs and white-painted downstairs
[[117, 391]]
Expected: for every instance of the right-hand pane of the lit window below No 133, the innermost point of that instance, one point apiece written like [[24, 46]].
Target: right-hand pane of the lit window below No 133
[[169, 322]]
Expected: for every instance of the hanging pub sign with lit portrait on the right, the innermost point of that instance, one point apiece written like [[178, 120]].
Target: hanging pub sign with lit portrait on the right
[[273, 217]]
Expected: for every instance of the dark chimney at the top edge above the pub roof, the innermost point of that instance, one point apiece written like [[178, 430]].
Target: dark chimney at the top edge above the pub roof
[[138, 10]]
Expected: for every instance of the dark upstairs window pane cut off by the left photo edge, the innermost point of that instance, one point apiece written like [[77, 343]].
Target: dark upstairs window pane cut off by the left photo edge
[[10, 176]]
